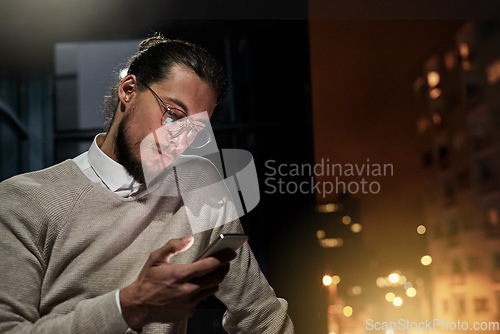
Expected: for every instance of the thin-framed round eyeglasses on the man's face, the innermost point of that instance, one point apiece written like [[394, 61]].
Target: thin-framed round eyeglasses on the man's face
[[176, 123]]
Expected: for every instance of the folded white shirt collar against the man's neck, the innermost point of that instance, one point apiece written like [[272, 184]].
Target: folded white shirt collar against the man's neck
[[111, 173]]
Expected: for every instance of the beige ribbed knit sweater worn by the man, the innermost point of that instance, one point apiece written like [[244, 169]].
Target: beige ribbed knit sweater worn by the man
[[66, 246]]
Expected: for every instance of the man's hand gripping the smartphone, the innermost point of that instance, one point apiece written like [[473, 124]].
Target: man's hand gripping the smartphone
[[166, 292]]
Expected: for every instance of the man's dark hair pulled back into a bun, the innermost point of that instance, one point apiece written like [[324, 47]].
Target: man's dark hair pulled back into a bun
[[156, 57]]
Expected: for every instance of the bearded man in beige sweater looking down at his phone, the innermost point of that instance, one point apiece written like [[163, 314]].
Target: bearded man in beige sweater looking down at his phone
[[83, 243]]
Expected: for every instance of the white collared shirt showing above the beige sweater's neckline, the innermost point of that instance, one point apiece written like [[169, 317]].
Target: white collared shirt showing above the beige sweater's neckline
[[106, 172]]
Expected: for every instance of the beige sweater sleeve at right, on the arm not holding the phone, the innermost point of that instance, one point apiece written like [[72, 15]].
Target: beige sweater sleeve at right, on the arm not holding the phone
[[252, 305]]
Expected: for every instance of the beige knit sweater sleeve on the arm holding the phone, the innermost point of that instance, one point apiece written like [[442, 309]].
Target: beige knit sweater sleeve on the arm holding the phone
[[23, 236]]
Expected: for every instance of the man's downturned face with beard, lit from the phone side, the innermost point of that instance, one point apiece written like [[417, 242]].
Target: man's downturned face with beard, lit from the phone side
[[185, 91]]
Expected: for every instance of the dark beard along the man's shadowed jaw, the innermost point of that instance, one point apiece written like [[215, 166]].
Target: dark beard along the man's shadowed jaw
[[124, 154]]
